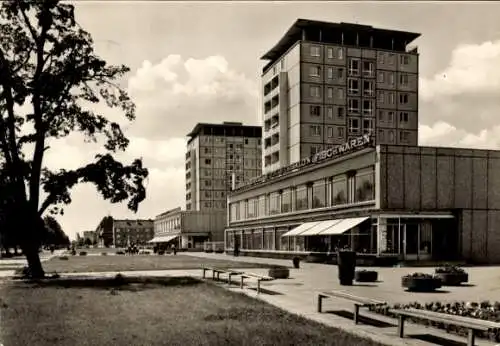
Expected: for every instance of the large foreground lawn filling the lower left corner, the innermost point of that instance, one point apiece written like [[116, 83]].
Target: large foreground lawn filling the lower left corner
[[179, 311]]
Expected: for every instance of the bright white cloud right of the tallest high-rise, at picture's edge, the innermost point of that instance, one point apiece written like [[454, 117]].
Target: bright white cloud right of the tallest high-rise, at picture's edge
[[465, 94]]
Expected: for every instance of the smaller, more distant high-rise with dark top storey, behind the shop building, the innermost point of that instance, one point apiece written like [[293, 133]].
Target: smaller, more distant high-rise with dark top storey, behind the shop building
[[217, 153]]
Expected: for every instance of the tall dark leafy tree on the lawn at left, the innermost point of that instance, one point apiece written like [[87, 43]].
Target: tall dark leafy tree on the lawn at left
[[48, 64]]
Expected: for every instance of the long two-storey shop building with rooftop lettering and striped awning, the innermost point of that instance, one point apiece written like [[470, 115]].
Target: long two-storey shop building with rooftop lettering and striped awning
[[384, 201]]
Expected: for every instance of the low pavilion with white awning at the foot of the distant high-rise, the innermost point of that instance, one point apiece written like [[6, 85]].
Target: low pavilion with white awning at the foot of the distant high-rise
[[189, 229]]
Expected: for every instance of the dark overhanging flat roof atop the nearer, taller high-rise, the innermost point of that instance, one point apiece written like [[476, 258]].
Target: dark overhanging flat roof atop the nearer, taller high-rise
[[294, 34]]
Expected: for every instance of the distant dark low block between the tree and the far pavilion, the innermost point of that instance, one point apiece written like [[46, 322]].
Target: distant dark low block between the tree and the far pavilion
[[121, 233]]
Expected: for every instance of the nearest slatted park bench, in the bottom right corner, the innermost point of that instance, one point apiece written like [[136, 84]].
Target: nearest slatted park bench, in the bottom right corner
[[473, 325]]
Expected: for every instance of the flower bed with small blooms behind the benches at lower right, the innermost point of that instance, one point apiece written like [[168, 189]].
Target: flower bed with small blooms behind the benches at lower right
[[484, 310]]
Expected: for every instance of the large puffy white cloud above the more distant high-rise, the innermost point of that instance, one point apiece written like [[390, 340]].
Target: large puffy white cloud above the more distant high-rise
[[175, 94]]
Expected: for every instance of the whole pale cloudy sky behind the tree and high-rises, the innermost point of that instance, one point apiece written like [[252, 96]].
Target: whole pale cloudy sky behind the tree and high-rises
[[200, 62]]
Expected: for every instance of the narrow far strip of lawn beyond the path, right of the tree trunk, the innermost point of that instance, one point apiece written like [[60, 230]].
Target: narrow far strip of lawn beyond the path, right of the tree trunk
[[80, 264]]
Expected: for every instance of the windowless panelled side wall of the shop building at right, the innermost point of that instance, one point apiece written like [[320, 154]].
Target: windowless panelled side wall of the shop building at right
[[466, 180]]
